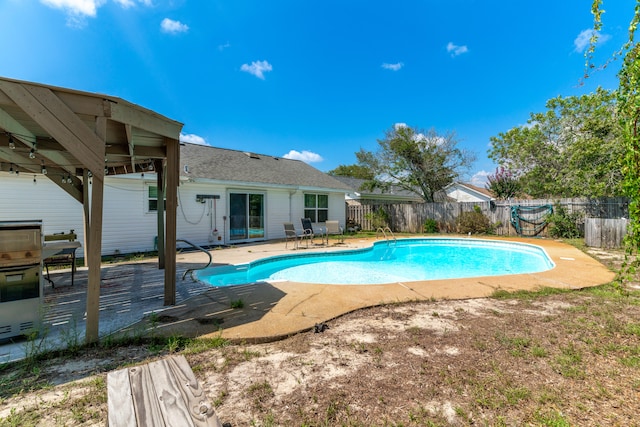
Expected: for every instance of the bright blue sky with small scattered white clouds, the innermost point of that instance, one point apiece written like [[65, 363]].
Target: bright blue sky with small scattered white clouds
[[317, 80]]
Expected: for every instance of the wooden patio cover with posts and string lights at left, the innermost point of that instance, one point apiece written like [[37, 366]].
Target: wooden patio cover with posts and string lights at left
[[79, 137]]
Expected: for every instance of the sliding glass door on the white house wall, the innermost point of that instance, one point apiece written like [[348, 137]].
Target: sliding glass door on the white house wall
[[246, 216]]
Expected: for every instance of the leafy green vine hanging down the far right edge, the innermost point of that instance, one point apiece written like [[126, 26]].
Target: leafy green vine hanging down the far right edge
[[628, 115]]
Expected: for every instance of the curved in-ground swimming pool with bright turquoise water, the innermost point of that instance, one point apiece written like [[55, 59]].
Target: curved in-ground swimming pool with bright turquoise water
[[404, 260]]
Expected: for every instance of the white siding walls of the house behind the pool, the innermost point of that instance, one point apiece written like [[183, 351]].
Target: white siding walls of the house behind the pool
[[129, 226]]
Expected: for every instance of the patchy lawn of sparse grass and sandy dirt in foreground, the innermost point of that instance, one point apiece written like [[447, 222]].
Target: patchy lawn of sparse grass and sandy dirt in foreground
[[569, 358]]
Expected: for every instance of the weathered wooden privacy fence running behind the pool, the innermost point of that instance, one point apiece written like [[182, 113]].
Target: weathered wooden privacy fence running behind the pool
[[410, 218]]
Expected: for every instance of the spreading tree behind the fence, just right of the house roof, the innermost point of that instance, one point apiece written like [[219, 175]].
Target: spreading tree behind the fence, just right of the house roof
[[420, 161]]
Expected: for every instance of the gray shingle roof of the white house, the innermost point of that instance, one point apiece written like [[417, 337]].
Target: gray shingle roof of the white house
[[221, 164]]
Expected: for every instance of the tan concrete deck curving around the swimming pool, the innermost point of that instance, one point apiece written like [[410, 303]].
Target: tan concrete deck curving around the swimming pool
[[275, 310]]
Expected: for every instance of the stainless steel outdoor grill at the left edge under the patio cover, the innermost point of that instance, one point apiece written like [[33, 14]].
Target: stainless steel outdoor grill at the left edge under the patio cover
[[21, 288]]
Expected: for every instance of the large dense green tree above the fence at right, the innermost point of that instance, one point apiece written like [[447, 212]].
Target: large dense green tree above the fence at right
[[571, 150]]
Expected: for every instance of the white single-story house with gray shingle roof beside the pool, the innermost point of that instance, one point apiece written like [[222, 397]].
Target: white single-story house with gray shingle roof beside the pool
[[225, 197]]
